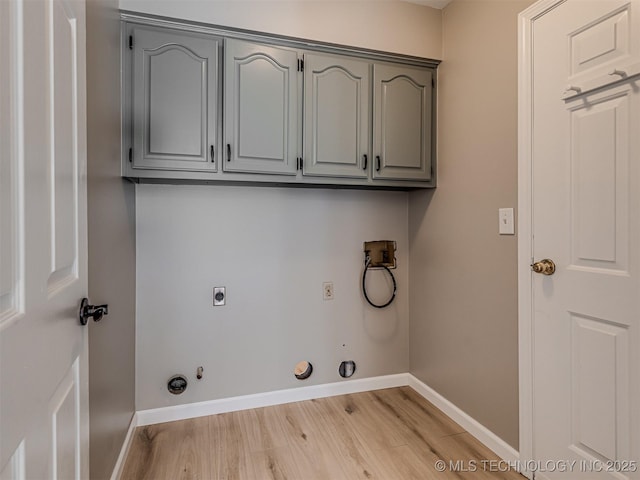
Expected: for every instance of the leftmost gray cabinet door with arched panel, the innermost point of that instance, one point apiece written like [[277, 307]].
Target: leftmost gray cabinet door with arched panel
[[175, 85]]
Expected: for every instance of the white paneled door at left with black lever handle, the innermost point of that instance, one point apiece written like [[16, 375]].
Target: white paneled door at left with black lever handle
[[43, 348]]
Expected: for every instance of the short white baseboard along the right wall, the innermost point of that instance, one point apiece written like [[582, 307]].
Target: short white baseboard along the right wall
[[483, 434]]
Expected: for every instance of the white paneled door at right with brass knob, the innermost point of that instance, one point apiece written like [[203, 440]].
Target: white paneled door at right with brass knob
[[585, 190]]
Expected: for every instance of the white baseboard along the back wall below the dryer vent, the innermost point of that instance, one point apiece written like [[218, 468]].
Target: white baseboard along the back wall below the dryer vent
[[267, 399]]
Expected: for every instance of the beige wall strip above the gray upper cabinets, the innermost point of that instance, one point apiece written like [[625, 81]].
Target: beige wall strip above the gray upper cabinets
[[391, 26]]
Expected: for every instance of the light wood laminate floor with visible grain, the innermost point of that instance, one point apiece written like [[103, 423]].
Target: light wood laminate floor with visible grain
[[391, 434]]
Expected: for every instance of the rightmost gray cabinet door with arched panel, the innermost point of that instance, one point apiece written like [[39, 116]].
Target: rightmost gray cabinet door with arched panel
[[402, 122]]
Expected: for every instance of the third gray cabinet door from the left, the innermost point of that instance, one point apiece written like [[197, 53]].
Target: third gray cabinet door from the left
[[336, 116]]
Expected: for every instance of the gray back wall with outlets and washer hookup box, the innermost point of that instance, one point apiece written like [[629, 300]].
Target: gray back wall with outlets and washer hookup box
[[272, 248]]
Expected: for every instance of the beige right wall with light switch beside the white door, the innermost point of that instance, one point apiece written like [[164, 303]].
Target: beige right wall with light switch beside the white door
[[463, 275]]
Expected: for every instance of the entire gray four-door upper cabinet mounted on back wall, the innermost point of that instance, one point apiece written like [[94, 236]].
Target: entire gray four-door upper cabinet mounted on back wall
[[205, 104]]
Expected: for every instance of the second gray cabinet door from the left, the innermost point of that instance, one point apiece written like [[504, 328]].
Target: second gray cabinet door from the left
[[261, 105]]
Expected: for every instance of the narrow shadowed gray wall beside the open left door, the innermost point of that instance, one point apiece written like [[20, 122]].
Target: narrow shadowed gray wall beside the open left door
[[111, 208]]
